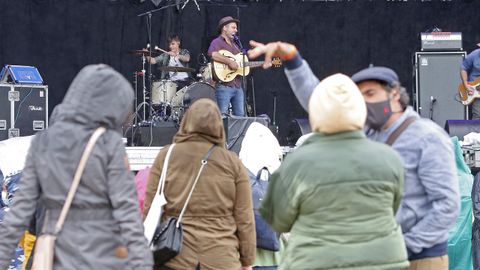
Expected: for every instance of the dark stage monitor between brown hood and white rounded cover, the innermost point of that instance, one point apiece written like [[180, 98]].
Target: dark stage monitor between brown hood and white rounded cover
[[236, 127]]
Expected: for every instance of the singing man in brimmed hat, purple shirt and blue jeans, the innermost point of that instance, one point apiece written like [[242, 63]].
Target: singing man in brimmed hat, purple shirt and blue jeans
[[228, 92]]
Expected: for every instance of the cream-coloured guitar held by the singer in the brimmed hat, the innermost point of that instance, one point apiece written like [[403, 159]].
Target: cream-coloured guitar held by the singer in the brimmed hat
[[225, 74]]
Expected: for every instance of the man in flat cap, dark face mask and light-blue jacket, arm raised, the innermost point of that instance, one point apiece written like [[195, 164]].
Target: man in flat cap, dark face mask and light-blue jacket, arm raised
[[430, 202]]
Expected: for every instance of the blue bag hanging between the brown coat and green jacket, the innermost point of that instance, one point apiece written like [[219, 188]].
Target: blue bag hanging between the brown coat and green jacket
[[267, 238]]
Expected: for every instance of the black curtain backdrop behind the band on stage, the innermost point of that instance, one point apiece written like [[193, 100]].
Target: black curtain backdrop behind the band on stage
[[59, 37]]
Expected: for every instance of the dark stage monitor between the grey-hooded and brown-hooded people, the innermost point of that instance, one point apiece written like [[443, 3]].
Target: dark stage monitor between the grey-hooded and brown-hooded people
[[159, 134]]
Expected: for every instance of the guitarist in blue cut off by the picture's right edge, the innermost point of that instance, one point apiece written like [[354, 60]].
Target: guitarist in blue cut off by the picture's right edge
[[470, 73]]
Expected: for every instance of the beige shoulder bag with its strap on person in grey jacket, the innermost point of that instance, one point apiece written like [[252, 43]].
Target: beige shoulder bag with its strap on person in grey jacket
[[45, 244]]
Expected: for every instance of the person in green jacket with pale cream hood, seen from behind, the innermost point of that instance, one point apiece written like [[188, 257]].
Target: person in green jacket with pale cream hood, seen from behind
[[337, 194]]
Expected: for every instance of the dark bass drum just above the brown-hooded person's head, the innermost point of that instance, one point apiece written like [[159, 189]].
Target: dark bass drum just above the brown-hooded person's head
[[187, 95]]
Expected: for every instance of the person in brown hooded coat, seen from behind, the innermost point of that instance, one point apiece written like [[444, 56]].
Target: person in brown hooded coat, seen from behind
[[218, 225]]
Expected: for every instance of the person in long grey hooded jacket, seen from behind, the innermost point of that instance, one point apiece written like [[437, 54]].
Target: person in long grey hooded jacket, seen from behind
[[103, 228]]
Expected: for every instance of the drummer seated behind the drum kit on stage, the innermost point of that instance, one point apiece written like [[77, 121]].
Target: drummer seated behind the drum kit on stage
[[176, 57]]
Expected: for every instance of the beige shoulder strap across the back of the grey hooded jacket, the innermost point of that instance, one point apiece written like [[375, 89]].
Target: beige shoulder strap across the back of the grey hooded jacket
[[76, 179]]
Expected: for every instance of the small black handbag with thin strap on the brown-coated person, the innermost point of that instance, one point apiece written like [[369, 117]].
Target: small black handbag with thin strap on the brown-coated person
[[167, 241]]
